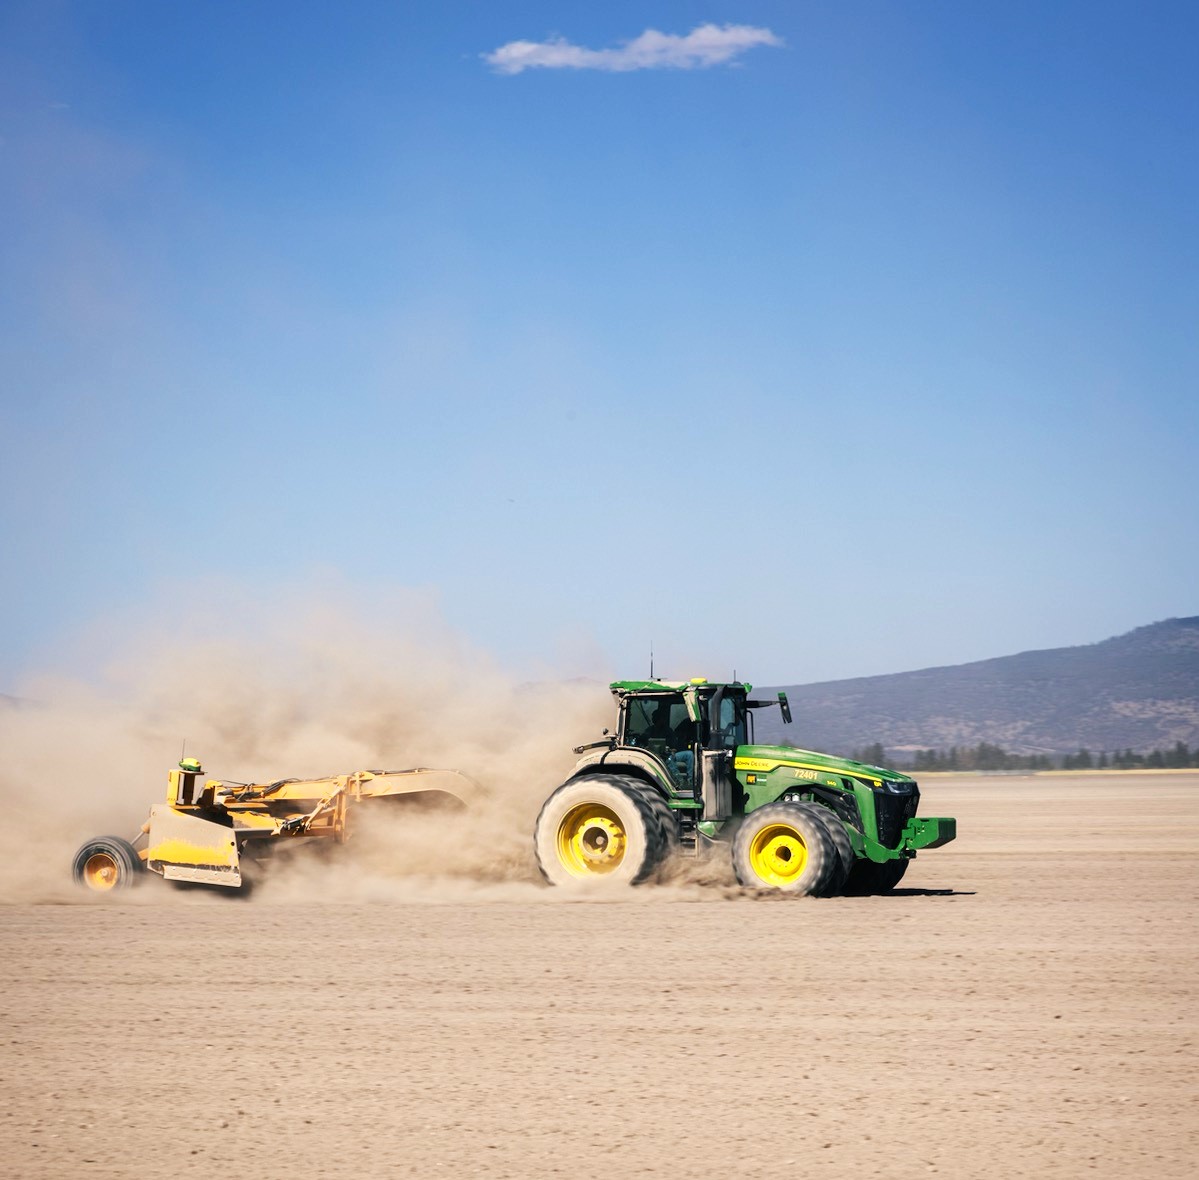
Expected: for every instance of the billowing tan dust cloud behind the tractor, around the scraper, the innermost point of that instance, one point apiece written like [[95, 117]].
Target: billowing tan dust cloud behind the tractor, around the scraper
[[297, 687]]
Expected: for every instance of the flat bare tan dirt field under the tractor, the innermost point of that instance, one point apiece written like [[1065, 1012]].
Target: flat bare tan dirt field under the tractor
[[1026, 1006]]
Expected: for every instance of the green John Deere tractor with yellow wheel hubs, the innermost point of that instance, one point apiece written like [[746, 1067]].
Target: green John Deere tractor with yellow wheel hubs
[[683, 774]]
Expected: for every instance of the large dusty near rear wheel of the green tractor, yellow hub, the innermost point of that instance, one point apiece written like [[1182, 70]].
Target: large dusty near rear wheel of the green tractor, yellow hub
[[599, 830]]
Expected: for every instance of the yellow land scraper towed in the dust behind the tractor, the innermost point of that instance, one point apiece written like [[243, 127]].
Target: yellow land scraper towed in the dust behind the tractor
[[207, 828]]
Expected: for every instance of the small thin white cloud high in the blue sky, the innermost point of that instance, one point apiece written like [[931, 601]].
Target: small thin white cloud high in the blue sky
[[703, 47]]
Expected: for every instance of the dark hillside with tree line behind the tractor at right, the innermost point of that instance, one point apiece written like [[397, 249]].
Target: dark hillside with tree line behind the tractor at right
[[1137, 691]]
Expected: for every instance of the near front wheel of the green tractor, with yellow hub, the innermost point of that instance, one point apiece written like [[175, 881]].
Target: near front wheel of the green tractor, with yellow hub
[[785, 847]]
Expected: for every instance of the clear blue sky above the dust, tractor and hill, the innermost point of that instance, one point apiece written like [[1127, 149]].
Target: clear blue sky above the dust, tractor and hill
[[870, 347]]
